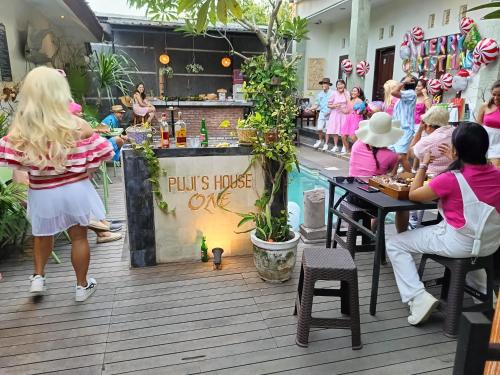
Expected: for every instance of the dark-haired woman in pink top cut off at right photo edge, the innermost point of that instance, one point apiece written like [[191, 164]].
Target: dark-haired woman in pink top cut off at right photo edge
[[489, 116]]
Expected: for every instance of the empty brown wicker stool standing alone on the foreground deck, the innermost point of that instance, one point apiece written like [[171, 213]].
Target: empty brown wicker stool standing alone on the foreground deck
[[327, 264]]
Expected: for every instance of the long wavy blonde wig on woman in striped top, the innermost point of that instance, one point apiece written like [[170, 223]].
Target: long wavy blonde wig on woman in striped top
[[43, 129]]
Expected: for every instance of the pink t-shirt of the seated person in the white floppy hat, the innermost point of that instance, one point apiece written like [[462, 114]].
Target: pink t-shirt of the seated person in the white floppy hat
[[362, 163]]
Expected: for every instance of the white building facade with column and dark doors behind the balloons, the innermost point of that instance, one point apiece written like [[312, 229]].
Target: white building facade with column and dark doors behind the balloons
[[373, 30]]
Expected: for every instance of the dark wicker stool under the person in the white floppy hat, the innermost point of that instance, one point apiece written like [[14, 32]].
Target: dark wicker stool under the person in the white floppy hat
[[350, 243]]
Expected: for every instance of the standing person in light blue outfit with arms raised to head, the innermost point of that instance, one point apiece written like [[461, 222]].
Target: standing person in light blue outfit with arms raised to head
[[404, 111]]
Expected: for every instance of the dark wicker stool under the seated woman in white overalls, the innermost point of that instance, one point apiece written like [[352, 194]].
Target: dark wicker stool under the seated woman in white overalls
[[453, 287]]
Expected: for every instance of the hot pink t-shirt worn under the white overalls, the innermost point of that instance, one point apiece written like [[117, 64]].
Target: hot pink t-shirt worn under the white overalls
[[484, 181]]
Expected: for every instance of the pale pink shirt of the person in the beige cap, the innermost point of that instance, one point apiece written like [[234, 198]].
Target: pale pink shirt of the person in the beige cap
[[430, 143]]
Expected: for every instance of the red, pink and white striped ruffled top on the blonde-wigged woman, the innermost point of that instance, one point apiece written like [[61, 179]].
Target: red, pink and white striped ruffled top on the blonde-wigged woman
[[86, 154]]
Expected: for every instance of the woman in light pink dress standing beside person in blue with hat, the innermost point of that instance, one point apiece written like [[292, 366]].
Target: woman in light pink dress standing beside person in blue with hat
[[338, 103]]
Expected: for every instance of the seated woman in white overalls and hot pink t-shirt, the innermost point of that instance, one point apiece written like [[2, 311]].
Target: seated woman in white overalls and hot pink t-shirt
[[469, 201]]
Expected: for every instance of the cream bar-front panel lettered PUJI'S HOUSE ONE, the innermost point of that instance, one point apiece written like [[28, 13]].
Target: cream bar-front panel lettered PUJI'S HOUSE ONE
[[192, 187]]
